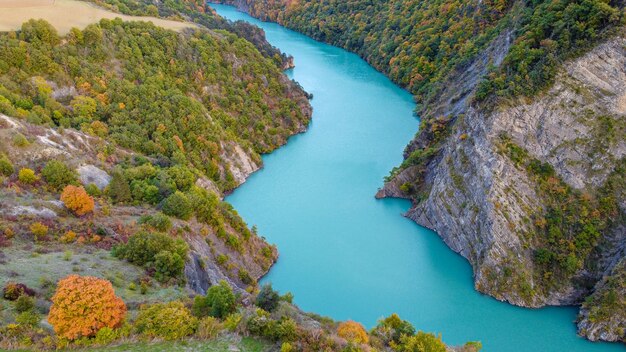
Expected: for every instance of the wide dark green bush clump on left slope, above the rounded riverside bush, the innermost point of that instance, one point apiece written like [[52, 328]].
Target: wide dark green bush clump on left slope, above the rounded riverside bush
[[157, 251]]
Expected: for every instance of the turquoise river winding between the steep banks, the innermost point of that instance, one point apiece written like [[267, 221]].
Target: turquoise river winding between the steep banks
[[345, 254]]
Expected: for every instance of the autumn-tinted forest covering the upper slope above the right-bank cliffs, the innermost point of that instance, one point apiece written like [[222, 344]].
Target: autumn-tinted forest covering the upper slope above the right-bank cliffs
[[419, 43]]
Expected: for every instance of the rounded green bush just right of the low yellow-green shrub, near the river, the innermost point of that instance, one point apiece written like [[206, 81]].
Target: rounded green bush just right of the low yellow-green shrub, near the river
[[219, 302]]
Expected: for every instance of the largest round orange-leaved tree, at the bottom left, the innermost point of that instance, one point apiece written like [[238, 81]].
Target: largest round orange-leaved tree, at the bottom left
[[82, 305]]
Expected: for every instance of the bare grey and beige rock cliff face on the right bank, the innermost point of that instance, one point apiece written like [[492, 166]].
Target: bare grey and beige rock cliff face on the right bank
[[481, 203]]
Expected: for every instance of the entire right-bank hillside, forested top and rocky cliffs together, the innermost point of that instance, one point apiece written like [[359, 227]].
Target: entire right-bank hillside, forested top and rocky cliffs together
[[518, 164]]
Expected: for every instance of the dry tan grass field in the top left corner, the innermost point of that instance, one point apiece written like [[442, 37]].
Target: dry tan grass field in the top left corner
[[65, 14]]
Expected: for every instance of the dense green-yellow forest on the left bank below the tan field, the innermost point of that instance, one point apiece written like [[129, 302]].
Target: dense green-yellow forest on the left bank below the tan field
[[179, 97]]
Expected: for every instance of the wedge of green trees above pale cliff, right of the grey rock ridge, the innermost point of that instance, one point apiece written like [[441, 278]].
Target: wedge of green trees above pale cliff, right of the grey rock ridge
[[550, 31]]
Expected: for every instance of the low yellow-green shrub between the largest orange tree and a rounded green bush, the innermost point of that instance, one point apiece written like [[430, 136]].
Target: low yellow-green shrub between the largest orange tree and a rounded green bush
[[169, 321]]
